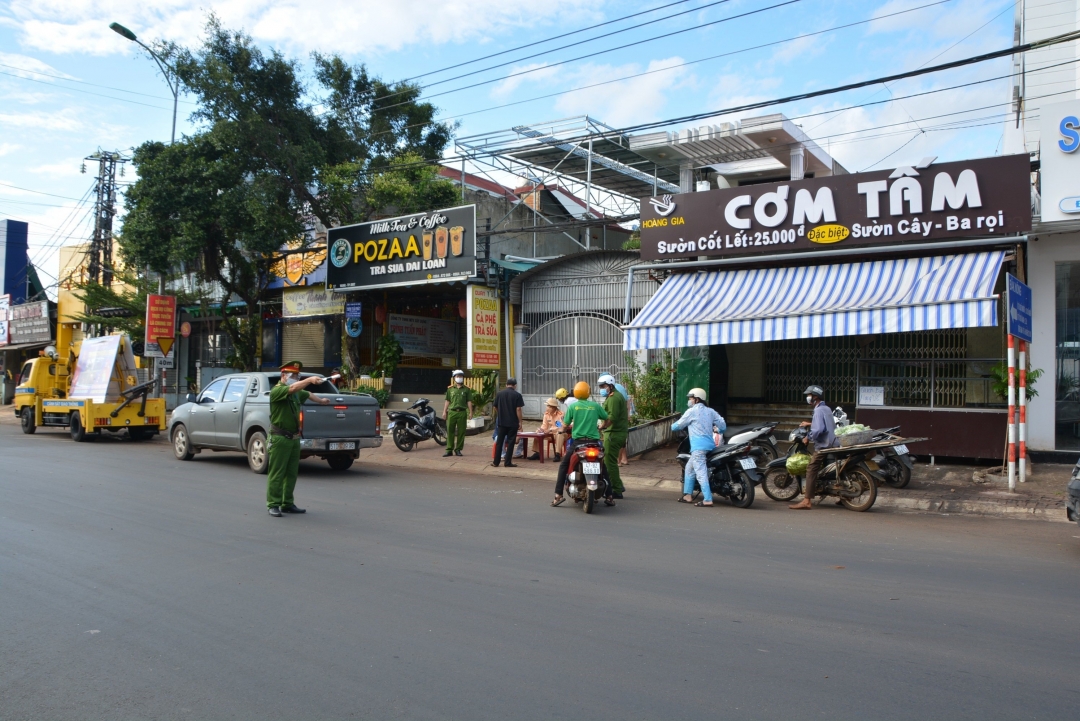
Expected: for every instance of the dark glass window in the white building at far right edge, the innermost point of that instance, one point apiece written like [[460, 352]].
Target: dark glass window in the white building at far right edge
[[1068, 357]]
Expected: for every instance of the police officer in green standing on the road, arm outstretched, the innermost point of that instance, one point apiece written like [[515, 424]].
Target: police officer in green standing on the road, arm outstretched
[[285, 445]]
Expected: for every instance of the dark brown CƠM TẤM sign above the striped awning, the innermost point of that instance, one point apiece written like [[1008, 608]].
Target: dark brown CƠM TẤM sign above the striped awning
[[968, 199]]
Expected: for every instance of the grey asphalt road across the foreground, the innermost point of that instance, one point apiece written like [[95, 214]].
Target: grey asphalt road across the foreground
[[137, 587]]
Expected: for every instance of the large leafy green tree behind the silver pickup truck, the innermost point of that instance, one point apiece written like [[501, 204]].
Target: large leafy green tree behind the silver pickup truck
[[274, 157]]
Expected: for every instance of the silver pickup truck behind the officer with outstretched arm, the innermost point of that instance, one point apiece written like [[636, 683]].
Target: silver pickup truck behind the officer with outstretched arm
[[233, 414]]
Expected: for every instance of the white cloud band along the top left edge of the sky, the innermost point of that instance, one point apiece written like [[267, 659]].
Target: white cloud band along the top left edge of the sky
[[341, 26]]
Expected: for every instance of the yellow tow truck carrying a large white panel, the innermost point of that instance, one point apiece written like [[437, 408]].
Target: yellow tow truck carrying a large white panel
[[88, 387]]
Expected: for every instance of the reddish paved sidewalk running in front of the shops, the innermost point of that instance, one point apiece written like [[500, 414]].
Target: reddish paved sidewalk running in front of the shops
[[941, 489]]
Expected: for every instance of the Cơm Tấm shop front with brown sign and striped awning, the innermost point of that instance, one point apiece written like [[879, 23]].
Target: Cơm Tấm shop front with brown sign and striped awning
[[884, 288]]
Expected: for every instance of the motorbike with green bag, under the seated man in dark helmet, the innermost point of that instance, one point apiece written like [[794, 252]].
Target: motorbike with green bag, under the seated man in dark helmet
[[845, 477]]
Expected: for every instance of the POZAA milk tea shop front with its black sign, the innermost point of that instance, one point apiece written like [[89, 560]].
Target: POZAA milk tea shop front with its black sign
[[416, 277]]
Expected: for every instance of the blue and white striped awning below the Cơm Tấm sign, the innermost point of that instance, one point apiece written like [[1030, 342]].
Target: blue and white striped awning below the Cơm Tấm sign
[[714, 308]]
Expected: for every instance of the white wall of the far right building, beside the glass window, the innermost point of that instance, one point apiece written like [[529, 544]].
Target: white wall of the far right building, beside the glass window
[[1042, 257]]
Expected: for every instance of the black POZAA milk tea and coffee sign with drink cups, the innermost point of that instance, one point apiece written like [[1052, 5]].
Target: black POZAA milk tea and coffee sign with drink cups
[[424, 248]]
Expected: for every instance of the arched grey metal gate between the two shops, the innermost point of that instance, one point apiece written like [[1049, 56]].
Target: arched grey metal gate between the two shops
[[571, 349]]
